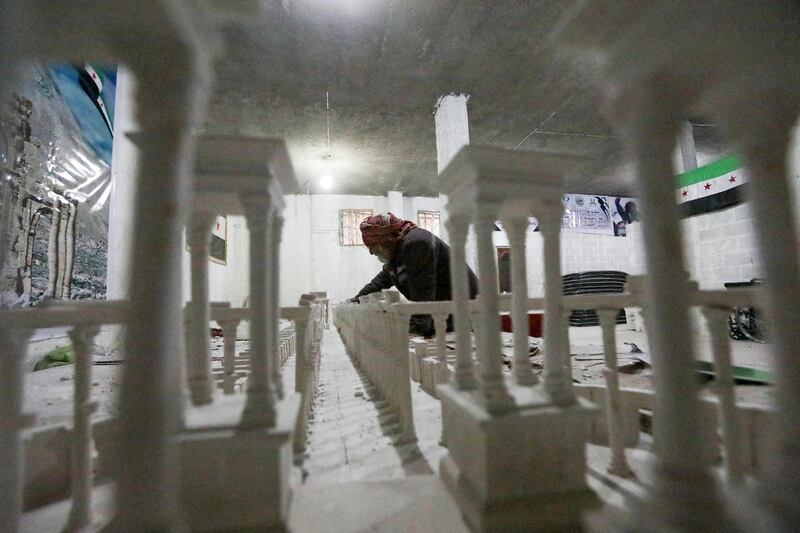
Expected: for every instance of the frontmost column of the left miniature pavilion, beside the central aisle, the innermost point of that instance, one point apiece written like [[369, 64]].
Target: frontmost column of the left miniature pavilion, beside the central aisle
[[259, 410]]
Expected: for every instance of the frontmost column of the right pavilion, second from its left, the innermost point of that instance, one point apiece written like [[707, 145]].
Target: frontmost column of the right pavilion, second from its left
[[492, 385]]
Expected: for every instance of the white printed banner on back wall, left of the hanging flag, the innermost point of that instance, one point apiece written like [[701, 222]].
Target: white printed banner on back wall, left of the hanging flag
[[601, 215]]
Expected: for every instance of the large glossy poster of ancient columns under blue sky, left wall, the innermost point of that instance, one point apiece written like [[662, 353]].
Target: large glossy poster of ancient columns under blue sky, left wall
[[56, 133]]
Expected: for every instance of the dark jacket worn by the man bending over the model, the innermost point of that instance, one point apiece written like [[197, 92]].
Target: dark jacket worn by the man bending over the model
[[420, 270]]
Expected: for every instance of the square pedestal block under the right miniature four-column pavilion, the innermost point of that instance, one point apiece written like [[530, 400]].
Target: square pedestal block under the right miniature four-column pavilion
[[524, 470]]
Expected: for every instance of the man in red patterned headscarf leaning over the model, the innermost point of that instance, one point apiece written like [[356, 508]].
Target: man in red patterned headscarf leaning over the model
[[415, 261]]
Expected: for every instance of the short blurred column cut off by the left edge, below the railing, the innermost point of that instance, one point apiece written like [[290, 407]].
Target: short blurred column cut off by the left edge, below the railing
[[12, 379]]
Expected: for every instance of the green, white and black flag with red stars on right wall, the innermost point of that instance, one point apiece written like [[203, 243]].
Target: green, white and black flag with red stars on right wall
[[711, 187]]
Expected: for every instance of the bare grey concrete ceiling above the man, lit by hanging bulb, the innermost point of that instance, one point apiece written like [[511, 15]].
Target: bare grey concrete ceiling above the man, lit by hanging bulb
[[384, 64]]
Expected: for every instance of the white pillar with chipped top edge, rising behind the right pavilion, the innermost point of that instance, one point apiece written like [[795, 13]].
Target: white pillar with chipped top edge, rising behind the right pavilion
[[452, 133]]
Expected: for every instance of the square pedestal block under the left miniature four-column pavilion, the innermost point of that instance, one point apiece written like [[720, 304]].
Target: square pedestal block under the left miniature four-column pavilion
[[236, 479]]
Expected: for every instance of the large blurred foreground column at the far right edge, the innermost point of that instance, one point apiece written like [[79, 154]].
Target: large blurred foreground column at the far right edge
[[765, 136]]
